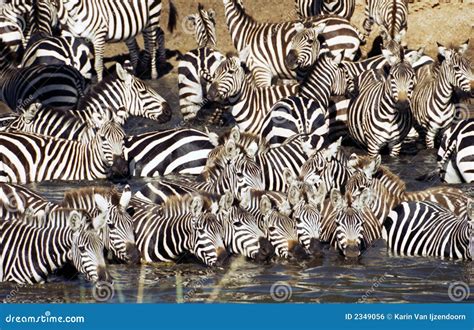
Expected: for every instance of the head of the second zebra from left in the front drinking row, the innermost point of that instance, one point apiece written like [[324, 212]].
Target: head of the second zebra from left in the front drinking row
[[118, 233]]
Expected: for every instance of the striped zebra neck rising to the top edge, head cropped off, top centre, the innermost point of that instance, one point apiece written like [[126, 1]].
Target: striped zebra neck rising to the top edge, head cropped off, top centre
[[239, 24]]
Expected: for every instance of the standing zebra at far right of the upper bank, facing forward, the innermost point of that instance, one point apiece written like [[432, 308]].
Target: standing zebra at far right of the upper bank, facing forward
[[432, 104]]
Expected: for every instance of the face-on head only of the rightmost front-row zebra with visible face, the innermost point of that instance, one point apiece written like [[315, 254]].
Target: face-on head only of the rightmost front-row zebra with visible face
[[349, 236]]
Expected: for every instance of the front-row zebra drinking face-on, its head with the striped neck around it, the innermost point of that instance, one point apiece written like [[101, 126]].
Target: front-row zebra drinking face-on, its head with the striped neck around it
[[351, 227]]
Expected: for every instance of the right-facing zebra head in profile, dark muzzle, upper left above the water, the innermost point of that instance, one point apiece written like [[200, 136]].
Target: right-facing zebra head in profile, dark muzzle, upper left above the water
[[142, 100]]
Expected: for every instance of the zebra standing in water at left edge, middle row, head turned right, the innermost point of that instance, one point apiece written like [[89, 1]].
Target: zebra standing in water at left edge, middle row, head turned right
[[27, 157]]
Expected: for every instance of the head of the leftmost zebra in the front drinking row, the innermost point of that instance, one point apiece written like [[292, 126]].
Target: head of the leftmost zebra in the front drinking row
[[87, 251]]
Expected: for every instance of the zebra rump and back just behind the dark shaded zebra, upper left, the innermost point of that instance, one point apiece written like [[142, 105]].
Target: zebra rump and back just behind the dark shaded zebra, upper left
[[62, 50]]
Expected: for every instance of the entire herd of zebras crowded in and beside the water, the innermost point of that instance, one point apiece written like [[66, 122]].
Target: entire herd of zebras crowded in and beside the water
[[279, 184]]
